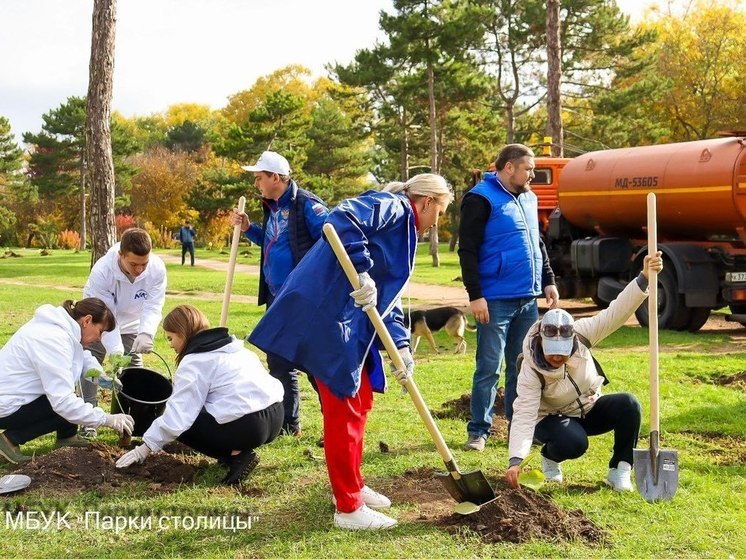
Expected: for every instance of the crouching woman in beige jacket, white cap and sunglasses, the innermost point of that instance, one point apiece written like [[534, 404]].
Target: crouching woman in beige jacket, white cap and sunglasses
[[559, 399]]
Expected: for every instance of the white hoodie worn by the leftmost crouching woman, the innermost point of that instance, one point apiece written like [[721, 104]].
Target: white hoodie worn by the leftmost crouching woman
[[45, 357]]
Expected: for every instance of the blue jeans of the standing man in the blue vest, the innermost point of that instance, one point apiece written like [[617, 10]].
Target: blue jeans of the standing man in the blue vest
[[502, 336]]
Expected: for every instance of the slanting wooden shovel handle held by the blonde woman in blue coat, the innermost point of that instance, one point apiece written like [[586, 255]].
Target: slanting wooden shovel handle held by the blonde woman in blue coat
[[388, 342]]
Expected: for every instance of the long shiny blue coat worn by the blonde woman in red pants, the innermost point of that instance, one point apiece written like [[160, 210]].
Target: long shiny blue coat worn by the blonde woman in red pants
[[313, 322]]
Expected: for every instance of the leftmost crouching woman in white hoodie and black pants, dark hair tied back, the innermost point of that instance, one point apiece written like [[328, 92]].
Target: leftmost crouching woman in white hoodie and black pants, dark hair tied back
[[39, 367]]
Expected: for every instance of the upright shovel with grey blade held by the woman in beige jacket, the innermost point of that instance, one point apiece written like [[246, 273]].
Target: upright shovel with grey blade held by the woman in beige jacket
[[656, 469]]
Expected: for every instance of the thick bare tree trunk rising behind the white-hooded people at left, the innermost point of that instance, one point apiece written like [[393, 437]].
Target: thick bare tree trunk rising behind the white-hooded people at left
[[97, 127]]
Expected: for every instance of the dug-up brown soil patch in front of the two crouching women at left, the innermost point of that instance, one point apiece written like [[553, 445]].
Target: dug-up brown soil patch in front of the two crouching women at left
[[71, 470]]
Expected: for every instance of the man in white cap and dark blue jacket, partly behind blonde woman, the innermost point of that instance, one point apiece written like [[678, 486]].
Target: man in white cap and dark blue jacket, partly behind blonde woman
[[292, 223]]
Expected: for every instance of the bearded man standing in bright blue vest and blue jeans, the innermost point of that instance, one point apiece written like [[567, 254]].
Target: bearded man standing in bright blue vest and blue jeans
[[504, 266]]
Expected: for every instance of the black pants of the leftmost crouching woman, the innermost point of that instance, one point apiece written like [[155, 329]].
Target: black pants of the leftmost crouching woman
[[35, 419]]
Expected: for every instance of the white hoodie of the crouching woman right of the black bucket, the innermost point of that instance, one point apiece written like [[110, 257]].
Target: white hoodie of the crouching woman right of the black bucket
[[228, 382]]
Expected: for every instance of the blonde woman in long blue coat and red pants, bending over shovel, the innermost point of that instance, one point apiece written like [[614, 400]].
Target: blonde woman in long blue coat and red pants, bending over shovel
[[320, 327]]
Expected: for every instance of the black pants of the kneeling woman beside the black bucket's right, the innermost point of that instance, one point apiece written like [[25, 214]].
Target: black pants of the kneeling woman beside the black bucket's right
[[245, 433]]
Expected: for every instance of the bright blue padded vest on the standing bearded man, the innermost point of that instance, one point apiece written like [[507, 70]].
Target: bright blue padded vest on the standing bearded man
[[510, 261]]
